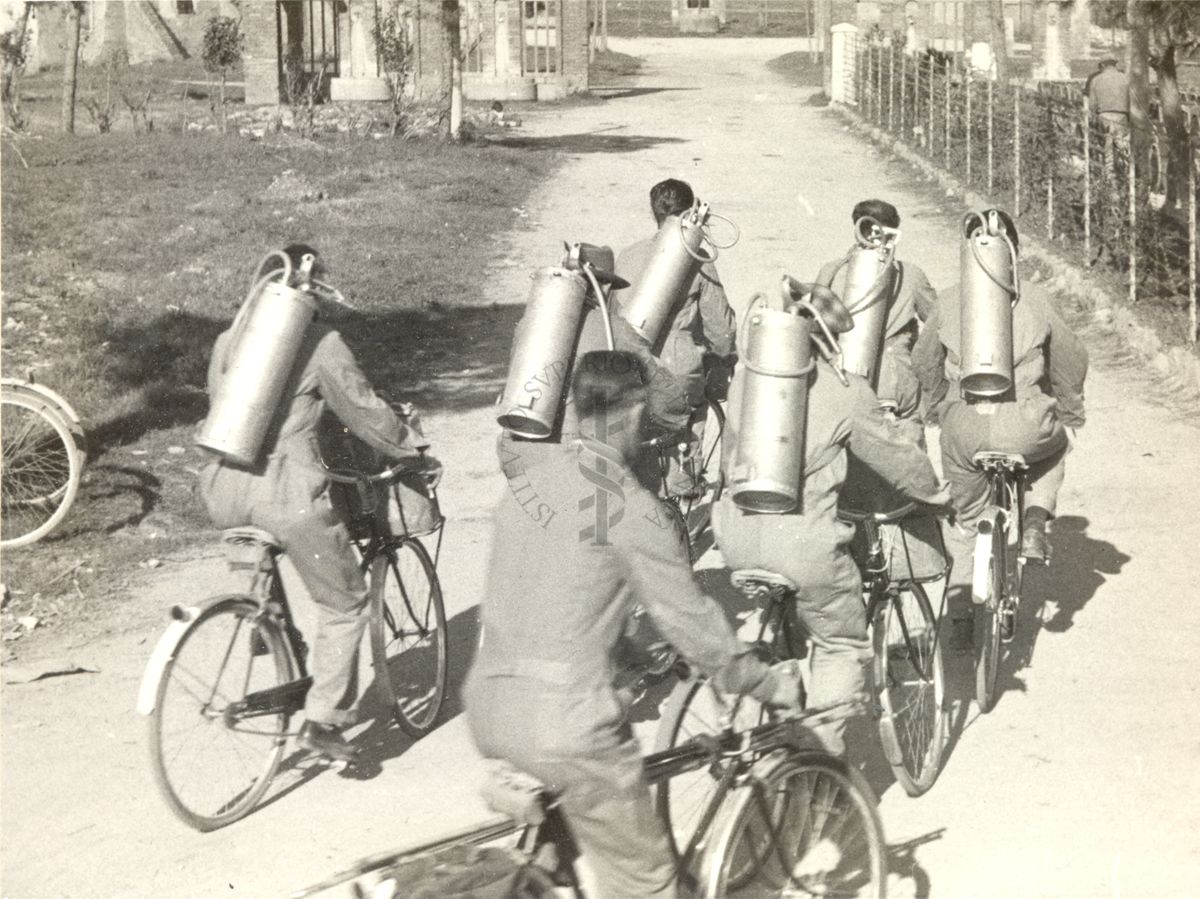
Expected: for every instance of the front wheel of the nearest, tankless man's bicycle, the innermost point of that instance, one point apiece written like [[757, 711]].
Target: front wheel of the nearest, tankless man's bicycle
[[814, 801]]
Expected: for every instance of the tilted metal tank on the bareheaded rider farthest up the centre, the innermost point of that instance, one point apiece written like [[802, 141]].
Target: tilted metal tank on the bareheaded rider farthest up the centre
[[676, 256]]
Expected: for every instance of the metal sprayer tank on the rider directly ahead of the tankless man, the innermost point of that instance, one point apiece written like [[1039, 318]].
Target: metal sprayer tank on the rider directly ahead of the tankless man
[[544, 345]]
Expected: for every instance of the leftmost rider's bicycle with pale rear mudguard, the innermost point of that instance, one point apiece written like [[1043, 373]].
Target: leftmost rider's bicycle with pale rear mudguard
[[230, 673]]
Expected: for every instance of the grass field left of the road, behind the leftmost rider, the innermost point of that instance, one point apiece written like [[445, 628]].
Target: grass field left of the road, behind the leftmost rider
[[125, 255]]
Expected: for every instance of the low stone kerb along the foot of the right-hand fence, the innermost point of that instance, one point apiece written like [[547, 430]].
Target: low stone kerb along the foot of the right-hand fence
[[1179, 365]]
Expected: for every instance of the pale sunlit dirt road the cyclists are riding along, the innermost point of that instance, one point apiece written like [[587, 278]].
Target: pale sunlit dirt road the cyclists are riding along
[[1082, 783]]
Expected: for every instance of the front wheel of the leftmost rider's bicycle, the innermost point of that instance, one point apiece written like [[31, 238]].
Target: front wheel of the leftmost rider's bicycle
[[409, 636]]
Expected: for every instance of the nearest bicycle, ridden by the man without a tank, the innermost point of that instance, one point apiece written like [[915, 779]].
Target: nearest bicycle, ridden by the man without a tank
[[784, 818]]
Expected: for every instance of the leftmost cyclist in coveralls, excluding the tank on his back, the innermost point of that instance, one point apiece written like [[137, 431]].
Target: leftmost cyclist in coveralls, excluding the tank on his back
[[289, 495]]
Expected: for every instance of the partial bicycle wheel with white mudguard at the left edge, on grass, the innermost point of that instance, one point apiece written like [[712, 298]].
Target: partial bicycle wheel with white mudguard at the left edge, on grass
[[40, 470]]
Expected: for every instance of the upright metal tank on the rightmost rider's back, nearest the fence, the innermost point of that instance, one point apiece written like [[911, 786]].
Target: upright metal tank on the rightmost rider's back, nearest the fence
[[989, 291]]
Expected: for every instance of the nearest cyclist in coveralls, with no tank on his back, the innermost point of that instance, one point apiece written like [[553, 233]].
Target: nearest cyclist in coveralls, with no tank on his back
[[561, 588]]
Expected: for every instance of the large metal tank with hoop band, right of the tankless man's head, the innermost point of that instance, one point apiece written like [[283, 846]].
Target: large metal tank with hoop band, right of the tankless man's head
[[776, 346]]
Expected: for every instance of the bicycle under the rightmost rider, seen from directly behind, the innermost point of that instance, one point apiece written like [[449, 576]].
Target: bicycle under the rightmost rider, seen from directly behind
[[998, 567]]
